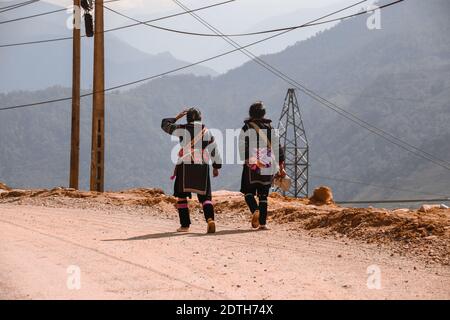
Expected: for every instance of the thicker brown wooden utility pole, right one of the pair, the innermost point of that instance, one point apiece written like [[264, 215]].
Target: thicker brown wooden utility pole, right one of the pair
[[98, 103]]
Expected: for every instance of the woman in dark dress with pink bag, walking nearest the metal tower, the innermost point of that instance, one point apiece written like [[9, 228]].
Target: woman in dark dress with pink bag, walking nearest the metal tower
[[262, 162]]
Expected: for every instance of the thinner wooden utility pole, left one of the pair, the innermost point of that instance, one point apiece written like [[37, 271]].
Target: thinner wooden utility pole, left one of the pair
[[75, 134]]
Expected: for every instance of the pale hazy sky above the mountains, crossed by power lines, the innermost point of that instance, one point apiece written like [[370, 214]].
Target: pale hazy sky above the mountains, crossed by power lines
[[235, 17]]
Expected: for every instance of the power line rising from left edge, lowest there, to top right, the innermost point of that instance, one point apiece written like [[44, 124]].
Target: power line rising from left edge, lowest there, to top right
[[170, 71]]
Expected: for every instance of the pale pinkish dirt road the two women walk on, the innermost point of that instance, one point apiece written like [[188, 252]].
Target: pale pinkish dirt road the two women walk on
[[130, 255]]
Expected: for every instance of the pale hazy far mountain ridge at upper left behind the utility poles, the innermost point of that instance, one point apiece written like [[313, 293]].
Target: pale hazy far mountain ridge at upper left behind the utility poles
[[39, 66]]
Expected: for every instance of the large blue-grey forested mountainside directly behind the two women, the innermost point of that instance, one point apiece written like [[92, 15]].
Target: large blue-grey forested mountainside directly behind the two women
[[396, 78]]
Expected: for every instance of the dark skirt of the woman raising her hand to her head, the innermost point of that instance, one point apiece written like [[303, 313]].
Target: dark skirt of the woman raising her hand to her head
[[192, 178]]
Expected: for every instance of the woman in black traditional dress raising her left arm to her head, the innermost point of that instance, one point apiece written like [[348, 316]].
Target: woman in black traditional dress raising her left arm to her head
[[192, 168]]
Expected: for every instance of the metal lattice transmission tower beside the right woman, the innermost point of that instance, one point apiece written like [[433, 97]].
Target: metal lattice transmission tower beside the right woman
[[295, 144]]
